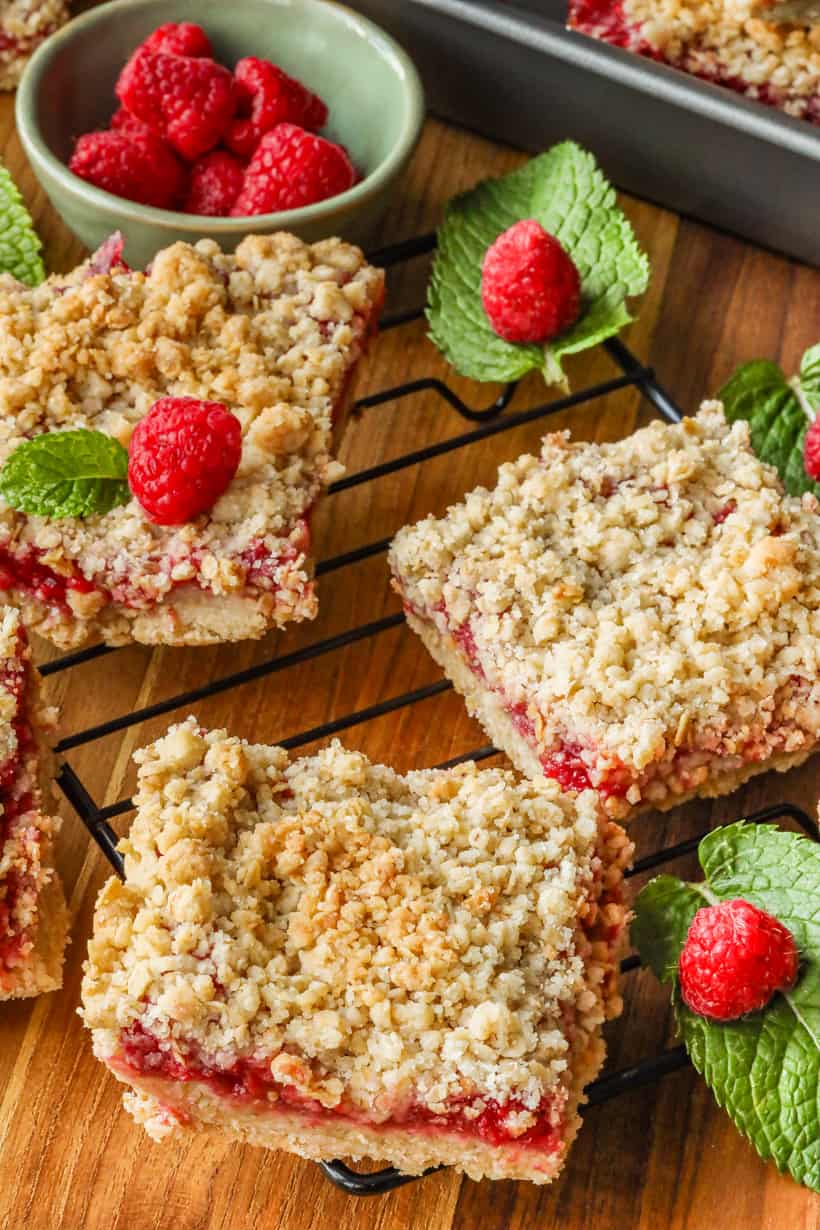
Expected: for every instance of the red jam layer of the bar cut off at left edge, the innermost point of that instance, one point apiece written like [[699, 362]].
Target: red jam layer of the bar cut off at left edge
[[17, 801]]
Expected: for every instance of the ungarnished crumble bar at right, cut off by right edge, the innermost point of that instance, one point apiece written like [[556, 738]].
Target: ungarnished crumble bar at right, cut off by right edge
[[642, 618]]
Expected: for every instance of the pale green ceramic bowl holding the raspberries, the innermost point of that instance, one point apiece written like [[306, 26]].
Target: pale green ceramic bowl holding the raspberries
[[372, 88]]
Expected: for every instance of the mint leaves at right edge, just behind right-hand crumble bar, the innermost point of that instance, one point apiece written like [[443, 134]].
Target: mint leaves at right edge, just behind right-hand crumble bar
[[779, 413]]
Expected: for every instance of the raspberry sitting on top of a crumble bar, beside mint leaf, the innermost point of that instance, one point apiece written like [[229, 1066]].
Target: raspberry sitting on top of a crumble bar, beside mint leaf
[[183, 457]]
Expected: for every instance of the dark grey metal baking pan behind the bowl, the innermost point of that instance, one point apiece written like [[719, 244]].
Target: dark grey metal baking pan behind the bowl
[[514, 73]]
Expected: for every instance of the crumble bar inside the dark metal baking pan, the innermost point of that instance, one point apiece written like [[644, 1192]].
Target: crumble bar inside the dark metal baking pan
[[728, 42]]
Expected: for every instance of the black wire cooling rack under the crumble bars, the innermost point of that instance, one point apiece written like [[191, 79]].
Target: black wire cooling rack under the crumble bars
[[490, 421]]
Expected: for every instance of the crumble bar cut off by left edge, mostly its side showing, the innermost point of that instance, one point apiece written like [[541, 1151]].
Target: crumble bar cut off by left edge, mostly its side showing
[[34, 918]]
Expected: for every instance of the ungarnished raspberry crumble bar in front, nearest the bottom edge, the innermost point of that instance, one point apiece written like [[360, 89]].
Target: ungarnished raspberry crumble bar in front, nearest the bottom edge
[[325, 958]]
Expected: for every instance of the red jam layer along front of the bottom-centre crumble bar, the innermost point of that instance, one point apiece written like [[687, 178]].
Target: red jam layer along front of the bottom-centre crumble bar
[[250, 1082]]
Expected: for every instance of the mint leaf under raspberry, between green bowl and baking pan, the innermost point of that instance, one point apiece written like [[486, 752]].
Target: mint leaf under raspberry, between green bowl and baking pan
[[567, 194]]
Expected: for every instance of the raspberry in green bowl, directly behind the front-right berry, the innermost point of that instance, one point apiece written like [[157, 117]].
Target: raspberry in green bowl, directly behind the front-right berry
[[266, 97]]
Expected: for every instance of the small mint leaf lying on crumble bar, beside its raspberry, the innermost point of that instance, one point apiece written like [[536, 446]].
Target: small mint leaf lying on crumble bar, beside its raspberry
[[67, 474]]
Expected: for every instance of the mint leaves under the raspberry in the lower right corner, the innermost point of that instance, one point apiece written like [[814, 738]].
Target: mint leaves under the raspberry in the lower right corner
[[763, 1069]]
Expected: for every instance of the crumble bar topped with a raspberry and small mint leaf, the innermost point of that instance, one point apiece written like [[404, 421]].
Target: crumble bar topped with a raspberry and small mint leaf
[[274, 333]]
